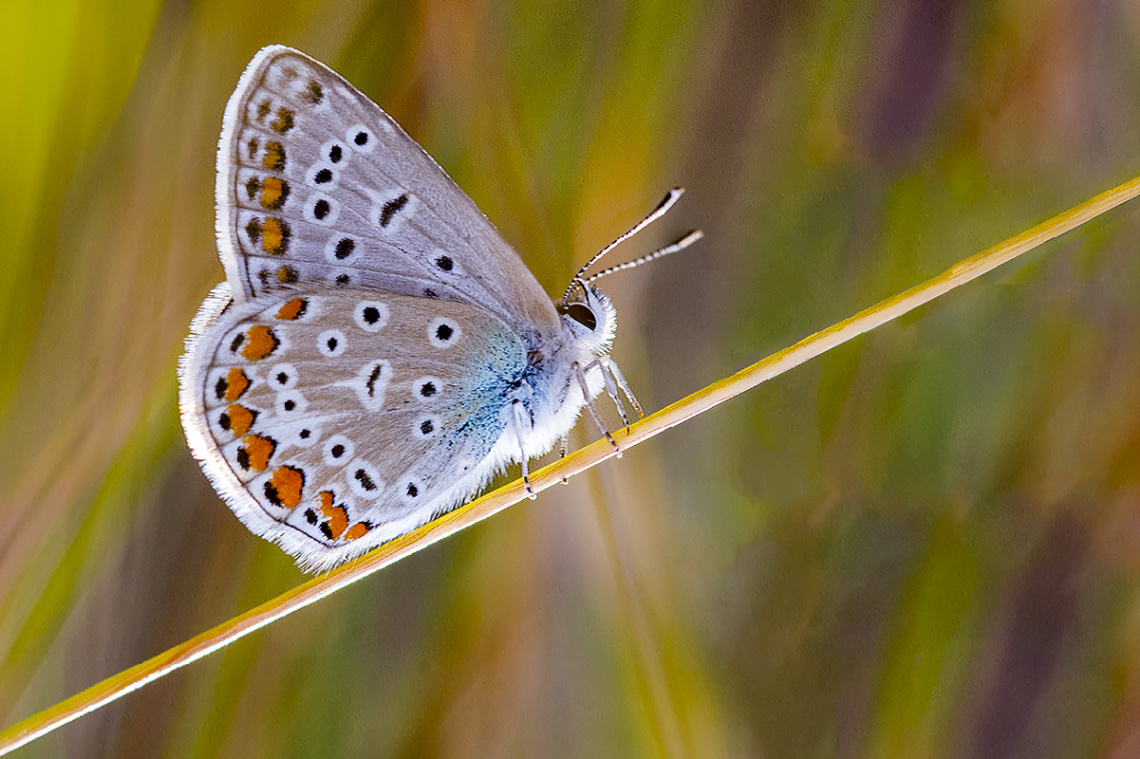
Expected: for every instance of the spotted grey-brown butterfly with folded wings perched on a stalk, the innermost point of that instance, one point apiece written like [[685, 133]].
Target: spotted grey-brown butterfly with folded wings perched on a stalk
[[378, 352]]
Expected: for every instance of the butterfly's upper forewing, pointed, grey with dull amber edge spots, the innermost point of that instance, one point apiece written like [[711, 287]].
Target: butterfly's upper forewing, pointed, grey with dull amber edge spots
[[317, 184]]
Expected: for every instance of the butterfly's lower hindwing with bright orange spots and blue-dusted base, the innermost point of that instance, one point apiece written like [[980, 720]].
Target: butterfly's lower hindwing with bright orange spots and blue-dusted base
[[336, 421]]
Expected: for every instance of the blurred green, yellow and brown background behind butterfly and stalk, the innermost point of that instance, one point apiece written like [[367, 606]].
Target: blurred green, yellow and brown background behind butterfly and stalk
[[924, 544]]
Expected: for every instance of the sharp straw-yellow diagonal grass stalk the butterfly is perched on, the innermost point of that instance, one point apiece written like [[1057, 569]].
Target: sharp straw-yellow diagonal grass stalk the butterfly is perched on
[[223, 635]]
